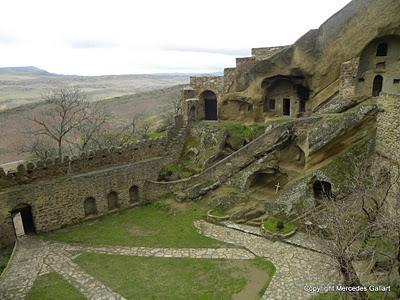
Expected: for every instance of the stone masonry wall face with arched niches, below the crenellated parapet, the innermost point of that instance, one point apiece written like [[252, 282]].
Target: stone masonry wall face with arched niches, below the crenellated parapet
[[59, 202]]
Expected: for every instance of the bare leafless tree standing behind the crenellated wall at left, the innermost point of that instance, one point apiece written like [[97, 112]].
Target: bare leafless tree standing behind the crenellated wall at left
[[67, 110]]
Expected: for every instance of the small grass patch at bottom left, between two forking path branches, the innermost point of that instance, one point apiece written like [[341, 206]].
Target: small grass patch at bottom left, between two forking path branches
[[51, 287]]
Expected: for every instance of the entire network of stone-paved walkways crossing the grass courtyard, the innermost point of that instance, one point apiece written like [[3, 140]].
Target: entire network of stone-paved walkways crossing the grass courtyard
[[296, 267]]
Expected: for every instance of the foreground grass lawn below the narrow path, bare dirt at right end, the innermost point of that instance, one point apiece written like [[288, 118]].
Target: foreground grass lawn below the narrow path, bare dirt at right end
[[179, 278]]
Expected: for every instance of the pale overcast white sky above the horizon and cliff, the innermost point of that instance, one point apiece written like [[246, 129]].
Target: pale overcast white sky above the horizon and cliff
[[149, 36]]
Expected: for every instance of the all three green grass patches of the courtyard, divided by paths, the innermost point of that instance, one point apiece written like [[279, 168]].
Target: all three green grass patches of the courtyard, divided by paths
[[164, 224]]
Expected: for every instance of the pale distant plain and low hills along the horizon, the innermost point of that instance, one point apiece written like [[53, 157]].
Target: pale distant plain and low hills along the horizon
[[26, 85]]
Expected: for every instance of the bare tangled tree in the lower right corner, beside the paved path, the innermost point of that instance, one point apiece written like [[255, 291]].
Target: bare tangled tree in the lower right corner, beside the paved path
[[350, 225]]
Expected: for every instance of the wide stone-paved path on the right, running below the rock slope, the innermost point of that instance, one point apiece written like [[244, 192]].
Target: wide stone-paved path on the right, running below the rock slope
[[295, 267]]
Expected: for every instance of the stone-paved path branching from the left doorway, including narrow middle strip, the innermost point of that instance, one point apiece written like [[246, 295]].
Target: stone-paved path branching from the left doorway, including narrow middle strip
[[34, 257]]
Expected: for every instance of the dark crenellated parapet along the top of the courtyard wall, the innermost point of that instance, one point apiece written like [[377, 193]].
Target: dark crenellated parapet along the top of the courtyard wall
[[94, 160]]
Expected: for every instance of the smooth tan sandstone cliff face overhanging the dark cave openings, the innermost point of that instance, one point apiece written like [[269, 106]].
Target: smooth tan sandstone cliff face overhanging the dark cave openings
[[319, 54]]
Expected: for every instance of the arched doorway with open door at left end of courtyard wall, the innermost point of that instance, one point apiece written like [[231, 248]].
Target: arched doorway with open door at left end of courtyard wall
[[23, 220]]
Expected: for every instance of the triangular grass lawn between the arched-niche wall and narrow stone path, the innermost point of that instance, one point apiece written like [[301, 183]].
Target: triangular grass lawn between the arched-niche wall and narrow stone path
[[155, 225]]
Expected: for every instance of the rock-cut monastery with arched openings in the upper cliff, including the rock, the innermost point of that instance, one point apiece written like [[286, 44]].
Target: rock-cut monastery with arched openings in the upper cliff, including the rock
[[354, 54]]
